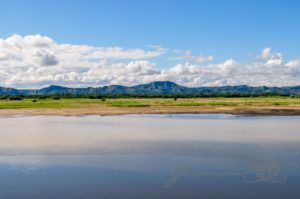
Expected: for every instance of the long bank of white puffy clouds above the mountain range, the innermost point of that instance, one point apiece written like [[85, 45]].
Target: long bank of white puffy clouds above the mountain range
[[35, 61]]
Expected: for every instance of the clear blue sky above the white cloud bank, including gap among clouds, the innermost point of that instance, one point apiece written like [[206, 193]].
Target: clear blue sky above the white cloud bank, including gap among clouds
[[231, 29]]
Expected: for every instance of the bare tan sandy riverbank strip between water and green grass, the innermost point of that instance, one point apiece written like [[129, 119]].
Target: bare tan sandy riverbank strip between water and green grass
[[104, 110]]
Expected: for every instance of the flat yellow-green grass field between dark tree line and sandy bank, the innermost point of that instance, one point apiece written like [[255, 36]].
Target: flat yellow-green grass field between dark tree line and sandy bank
[[135, 102]]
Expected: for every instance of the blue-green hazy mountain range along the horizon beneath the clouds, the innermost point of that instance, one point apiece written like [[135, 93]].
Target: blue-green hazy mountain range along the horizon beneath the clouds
[[155, 88]]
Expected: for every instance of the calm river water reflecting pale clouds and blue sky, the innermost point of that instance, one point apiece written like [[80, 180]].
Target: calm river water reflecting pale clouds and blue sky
[[150, 156]]
